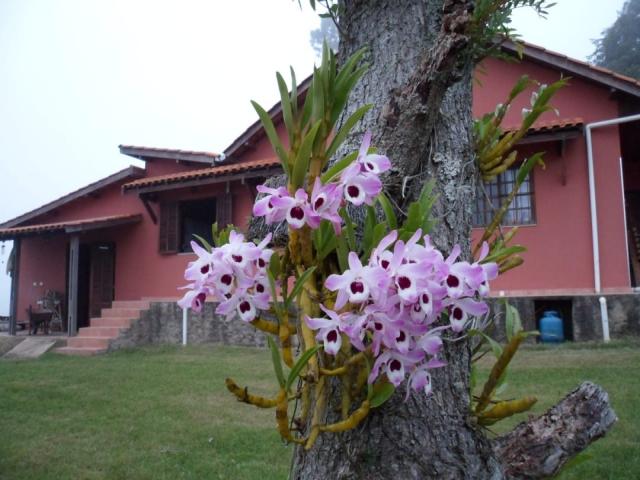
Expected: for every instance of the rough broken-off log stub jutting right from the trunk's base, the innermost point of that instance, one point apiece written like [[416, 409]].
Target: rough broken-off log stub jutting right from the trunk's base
[[539, 448]]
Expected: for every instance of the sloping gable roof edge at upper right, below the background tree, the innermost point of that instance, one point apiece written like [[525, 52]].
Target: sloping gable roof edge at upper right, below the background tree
[[577, 68]]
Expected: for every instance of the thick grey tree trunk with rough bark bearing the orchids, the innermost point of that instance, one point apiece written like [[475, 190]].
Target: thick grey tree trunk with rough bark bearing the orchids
[[424, 128]]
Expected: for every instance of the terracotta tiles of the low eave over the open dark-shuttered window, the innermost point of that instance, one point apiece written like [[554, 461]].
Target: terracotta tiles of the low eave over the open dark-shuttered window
[[211, 172]]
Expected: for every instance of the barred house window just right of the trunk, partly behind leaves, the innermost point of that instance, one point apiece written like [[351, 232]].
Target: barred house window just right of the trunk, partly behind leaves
[[521, 210]]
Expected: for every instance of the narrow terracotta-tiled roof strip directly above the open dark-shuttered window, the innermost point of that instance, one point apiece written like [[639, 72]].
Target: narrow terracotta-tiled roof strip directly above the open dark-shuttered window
[[215, 174]]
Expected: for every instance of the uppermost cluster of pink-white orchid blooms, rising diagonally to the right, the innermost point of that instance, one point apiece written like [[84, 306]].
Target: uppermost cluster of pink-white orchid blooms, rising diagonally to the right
[[358, 184]]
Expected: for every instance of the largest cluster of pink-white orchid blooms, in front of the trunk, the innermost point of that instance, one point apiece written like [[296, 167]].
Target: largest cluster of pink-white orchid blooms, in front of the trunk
[[398, 296]]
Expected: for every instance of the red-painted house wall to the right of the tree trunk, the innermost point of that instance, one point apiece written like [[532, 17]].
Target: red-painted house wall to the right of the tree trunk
[[559, 256]]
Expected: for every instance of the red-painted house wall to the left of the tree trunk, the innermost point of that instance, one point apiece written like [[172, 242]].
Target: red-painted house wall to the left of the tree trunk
[[141, 271]]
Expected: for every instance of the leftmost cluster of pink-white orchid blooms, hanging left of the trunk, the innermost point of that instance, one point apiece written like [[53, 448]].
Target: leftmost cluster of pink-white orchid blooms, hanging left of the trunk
[[234, 275]]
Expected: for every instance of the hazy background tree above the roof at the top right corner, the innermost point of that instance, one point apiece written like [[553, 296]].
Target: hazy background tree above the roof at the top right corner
[[619, 47]]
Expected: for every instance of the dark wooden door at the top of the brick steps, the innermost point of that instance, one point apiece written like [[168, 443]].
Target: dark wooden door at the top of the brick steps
[[102, 283]]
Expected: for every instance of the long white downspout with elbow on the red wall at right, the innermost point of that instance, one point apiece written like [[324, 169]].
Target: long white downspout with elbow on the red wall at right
[[594, 216]]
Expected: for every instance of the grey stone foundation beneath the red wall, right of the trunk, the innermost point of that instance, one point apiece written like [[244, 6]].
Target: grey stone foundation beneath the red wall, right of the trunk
[[583, 313]]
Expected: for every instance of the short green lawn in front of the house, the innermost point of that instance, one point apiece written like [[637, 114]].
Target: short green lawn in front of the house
[[164, 413]]
